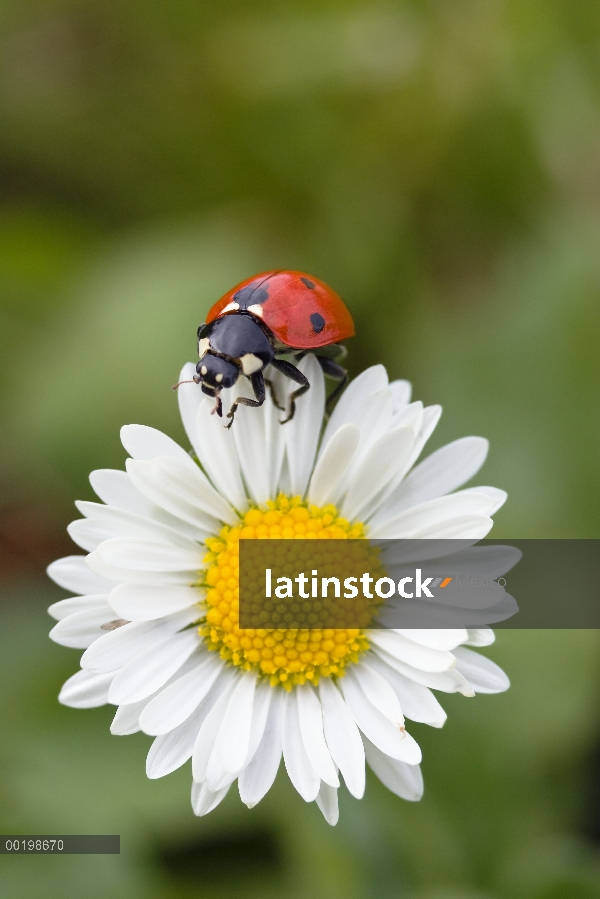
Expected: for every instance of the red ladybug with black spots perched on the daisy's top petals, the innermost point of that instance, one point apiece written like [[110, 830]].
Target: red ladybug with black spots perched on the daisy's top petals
[[274, 314]]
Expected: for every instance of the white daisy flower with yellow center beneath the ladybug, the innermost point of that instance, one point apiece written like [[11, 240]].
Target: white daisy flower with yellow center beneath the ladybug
[[156, 604]]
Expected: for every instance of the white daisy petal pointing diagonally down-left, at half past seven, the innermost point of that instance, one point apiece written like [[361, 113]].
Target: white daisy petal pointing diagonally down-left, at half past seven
[[176, 702]]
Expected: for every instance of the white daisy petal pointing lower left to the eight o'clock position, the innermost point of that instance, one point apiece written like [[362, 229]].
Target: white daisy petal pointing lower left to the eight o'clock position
[[152, 667]]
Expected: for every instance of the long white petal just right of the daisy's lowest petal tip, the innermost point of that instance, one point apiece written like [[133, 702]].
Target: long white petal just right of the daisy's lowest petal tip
[[343, 738]]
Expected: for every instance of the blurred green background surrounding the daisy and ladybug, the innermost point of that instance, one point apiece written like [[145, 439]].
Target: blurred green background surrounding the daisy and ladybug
[[438, 163]]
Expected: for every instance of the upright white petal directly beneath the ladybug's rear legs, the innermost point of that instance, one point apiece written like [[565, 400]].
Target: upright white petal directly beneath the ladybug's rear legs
[[302, 432]]
